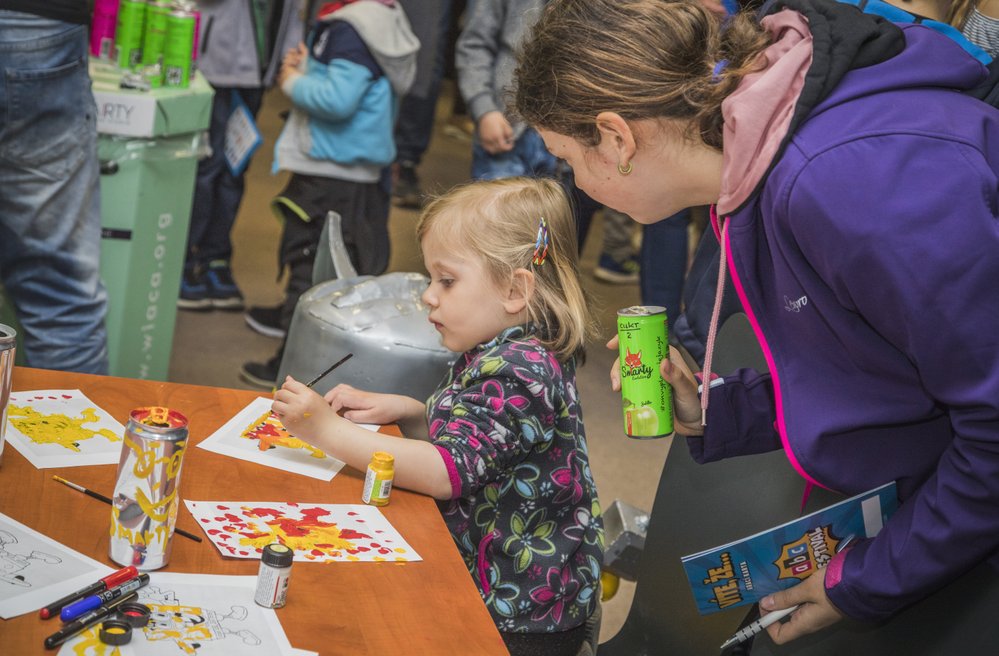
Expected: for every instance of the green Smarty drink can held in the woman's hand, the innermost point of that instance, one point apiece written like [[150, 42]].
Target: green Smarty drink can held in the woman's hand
[[642, 344]]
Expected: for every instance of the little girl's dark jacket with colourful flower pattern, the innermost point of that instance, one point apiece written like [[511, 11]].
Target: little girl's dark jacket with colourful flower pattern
[[524, 511]]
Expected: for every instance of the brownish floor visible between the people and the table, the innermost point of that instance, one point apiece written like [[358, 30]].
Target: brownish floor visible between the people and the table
[[210, 347]]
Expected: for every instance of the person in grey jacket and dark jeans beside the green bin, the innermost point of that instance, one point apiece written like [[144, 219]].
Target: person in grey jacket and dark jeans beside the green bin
[[240, 51]]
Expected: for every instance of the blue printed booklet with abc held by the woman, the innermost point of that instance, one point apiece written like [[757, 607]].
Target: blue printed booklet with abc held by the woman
[[745, 571]]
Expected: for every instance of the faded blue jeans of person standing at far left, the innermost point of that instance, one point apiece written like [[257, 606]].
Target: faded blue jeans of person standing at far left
[[50, 224]]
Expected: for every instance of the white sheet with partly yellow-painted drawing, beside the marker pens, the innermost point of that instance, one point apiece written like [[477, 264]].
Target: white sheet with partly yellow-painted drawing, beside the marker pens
[[201, 614]]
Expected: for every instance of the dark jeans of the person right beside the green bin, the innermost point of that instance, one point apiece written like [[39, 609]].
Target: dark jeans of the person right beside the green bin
[[217, 192]]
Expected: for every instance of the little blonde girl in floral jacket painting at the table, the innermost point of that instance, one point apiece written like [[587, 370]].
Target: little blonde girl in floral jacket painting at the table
[[501, 443]]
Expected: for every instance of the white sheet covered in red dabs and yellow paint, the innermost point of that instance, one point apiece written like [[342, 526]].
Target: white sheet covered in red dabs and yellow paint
[[321, 532]]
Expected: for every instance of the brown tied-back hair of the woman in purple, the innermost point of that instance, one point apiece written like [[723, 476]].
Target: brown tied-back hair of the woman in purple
[[643, 59]]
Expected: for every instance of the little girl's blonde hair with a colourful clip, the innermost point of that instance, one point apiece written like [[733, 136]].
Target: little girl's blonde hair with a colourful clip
[[497, 222]]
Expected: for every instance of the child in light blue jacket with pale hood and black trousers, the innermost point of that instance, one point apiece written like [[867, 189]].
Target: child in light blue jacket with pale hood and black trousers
[[345, 84]]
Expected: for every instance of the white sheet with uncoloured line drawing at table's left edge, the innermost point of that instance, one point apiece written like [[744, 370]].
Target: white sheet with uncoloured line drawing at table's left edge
[[35, 570]]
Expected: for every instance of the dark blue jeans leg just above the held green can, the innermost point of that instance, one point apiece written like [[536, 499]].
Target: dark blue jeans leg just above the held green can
[[664, 263]]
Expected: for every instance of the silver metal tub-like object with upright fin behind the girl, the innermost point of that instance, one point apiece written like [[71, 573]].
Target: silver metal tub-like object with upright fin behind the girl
[[380, 319]]
